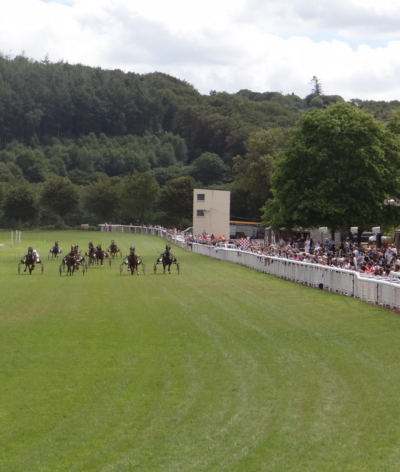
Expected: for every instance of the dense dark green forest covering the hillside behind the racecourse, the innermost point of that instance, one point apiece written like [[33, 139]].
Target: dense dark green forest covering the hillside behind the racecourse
[[130, 148]]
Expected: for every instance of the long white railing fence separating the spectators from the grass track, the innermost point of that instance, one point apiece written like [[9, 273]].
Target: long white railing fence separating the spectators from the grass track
[[380, 291]]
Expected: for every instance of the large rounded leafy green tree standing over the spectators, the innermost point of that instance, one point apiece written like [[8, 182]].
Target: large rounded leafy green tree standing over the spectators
[[339, 166]]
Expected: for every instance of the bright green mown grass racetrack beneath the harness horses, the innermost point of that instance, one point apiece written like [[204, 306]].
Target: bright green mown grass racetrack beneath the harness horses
[[218, 368]]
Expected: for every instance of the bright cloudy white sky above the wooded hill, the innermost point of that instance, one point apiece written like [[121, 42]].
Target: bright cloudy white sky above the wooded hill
[[352, 46]]
